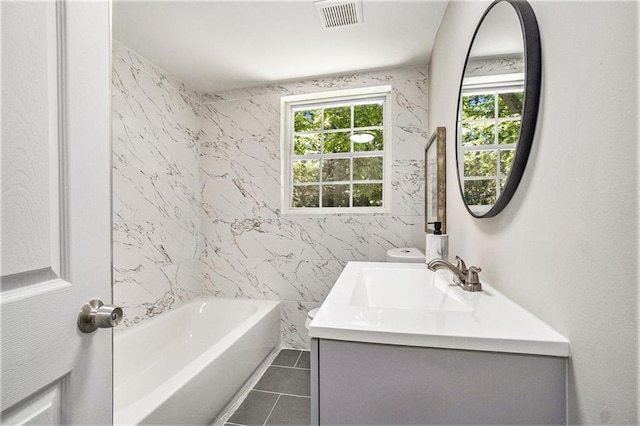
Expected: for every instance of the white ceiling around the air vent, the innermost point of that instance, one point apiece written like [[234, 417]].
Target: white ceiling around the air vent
[[218, 45]]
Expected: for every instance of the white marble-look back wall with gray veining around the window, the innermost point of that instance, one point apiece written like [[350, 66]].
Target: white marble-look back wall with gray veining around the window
[[250, 249]]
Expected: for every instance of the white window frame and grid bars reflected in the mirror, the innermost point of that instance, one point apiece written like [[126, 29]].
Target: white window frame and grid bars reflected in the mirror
[[495, 84]]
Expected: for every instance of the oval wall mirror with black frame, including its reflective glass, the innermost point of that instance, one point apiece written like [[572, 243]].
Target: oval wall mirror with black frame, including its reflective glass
[[498, 106]]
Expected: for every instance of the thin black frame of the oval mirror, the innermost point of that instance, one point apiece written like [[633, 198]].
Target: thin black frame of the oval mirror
[[533, 80]]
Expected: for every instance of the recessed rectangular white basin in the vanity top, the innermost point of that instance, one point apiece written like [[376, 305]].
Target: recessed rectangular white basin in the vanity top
[[406, 289]]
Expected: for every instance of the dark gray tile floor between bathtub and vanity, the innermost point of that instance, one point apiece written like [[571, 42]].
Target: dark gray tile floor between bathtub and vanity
[[281, 396]]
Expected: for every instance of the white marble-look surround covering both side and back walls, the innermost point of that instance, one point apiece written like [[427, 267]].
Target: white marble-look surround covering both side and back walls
[[197, 195]]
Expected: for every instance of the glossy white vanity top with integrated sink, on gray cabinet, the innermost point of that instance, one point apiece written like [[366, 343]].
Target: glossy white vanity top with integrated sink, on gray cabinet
[[407, 304]]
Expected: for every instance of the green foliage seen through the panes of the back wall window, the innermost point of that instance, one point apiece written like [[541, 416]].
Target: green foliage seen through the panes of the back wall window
[[329, 181]]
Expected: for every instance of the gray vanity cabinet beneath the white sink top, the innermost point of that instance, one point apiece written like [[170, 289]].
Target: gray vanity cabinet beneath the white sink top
[[375, 384]]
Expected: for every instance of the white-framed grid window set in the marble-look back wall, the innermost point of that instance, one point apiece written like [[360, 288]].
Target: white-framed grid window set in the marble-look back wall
[[336, 151]]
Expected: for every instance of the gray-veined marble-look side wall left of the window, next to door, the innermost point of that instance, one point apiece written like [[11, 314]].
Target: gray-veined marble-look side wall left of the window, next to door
[[156, 197]]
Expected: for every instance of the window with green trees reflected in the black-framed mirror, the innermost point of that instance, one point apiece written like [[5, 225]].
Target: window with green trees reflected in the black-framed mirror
[[490, 128]]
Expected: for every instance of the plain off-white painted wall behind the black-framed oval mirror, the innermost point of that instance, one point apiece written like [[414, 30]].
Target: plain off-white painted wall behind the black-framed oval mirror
[[566, 247]]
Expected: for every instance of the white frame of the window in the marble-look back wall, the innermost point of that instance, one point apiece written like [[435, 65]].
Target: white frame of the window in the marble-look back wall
[[324, 99]]
